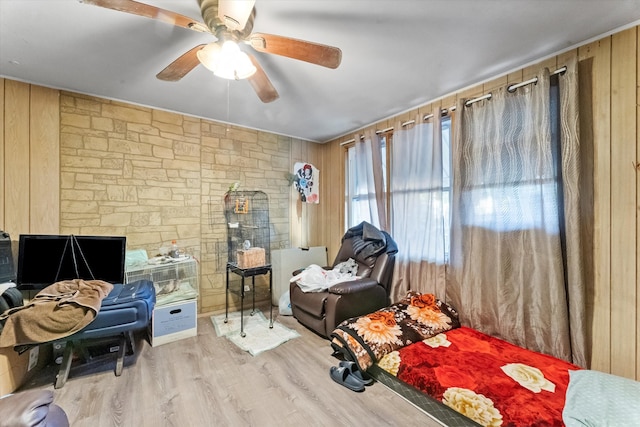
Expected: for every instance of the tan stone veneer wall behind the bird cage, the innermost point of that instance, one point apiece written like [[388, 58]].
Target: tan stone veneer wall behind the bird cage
[[156, 176]]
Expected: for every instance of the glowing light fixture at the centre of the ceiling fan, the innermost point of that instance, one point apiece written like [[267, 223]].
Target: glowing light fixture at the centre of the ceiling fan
[[226, 61]]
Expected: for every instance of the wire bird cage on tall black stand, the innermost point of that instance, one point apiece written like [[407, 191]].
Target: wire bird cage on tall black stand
[[248, 234]]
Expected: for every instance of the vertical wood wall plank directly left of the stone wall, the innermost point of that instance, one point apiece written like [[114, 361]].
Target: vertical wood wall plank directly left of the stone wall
[[44, 157]]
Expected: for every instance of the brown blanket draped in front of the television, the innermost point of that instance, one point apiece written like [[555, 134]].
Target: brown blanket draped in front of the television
[[57, 311]]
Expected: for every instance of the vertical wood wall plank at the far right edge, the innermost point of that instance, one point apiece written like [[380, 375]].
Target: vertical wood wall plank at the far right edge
[[623, 202]]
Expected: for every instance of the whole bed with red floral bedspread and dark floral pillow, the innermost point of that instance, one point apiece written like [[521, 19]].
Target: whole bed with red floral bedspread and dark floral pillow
[[461, 376]]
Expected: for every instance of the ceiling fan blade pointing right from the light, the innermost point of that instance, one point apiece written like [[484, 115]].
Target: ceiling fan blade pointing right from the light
[[315, 53]]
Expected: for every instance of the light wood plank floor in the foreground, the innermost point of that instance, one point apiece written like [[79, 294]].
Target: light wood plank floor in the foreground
[[208, 381]]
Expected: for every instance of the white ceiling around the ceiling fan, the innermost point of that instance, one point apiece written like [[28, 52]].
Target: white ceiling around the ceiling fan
[[396, 54]]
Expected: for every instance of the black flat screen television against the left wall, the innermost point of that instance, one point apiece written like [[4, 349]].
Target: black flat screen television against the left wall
[[44, 259]]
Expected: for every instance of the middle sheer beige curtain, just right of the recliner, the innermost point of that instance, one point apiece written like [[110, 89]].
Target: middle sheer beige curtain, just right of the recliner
[[417, 202]]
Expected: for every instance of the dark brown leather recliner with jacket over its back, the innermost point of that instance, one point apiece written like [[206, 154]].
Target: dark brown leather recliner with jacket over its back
[[374, 251]]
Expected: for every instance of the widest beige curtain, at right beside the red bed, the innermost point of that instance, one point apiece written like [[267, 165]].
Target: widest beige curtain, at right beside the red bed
[[515, 249]]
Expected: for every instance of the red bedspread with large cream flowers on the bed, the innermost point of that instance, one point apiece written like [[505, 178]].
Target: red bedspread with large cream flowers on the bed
[[489, 380]]
